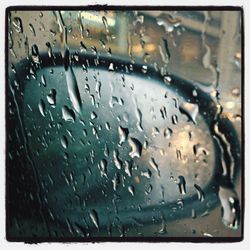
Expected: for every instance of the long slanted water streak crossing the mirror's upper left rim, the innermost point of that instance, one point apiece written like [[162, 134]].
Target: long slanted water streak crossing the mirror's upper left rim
[[74, 94]]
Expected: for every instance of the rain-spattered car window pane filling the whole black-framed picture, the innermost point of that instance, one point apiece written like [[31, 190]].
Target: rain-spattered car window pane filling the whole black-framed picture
[[123, 124]]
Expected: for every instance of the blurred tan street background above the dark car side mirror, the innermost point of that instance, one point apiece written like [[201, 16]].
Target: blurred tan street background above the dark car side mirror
[[204, 46]]
